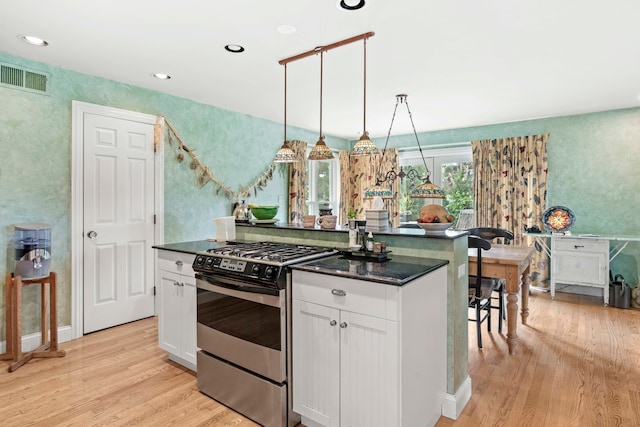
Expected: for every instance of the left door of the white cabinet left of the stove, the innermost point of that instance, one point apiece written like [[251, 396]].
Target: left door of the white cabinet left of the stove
[[169, 325]]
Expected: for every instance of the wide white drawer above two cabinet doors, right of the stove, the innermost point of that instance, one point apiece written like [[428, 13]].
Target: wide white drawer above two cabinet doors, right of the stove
[[358, 296]]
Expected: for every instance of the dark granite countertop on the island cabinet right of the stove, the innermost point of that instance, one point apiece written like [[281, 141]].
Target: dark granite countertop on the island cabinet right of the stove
[[397, 270]]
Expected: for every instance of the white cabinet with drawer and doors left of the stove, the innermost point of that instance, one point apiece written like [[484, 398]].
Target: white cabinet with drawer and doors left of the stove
[[177, 307]]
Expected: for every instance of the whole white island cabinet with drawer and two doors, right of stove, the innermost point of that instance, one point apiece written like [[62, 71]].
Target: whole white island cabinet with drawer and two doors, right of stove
[[366, 353]]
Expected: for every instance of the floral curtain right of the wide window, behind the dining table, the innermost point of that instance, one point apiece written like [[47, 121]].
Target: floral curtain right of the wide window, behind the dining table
[[510, 185]]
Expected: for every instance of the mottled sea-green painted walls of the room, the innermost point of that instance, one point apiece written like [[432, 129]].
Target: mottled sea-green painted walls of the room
[[592, 161]]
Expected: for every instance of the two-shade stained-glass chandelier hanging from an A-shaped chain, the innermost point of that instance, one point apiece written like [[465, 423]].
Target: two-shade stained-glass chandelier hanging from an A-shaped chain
[[426, 190]]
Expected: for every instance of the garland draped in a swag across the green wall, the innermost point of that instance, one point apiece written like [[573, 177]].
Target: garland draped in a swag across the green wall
[[204, 173]]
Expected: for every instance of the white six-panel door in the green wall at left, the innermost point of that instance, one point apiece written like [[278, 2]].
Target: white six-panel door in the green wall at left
[[118, 221]]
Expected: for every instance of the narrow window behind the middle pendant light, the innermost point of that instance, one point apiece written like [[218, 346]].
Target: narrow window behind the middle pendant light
[[323, 185]]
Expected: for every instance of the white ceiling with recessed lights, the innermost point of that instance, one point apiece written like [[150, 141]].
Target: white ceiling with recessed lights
[[462, 63]]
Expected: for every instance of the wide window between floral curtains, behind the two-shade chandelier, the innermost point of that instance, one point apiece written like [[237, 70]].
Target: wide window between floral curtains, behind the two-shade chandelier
[[451, 169]]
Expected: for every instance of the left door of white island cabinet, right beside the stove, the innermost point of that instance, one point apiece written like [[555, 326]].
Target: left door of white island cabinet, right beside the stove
[[316, 362]]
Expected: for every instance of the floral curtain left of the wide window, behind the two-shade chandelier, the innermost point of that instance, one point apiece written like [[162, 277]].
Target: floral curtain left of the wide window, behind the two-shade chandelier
[[357, 173]]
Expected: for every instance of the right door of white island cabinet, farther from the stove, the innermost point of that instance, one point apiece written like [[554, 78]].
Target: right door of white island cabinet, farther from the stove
[[368, 371]]
